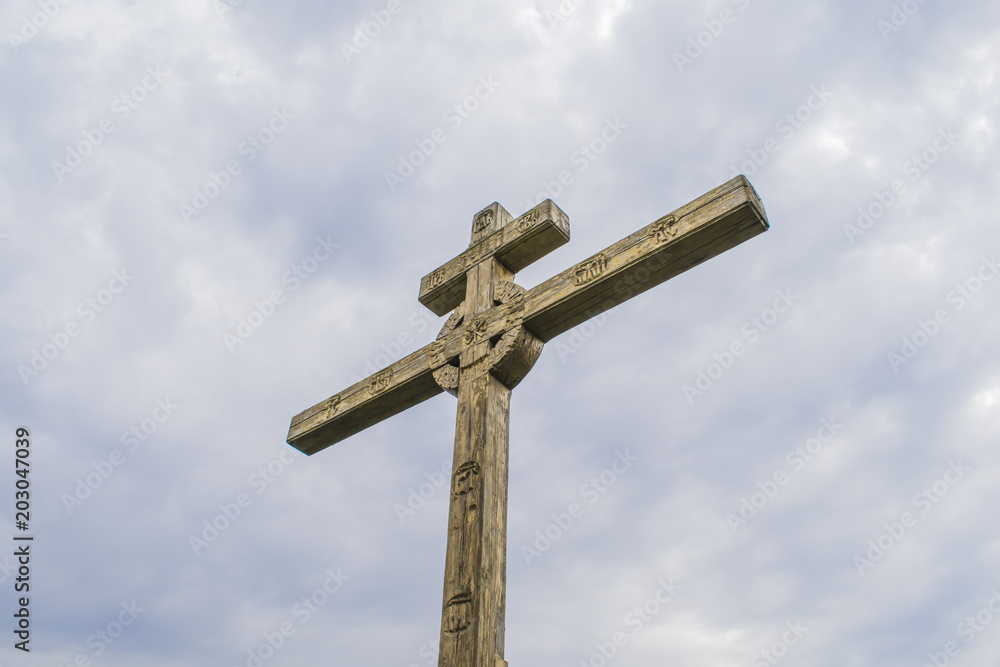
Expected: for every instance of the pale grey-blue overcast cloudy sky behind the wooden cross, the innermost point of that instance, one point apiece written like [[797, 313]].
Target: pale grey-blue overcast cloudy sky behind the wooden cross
[[215, 214]]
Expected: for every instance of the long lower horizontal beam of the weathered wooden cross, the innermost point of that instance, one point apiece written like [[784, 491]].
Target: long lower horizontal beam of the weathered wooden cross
[[706, 227]]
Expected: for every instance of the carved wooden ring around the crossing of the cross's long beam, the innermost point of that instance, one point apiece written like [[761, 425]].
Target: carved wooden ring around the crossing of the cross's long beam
[[509, 361]]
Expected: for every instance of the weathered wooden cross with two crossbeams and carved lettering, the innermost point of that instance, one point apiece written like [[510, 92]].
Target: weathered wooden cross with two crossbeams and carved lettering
[[493, 338]]
